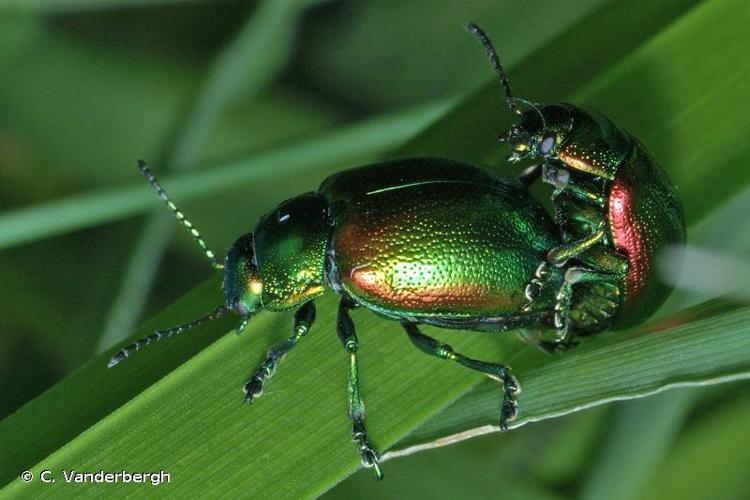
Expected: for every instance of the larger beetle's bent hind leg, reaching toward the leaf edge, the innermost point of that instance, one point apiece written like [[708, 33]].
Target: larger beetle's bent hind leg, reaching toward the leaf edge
[[509, 408]]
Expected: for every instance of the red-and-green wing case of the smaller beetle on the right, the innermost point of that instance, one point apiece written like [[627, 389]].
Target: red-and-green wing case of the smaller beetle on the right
[[644, 217]]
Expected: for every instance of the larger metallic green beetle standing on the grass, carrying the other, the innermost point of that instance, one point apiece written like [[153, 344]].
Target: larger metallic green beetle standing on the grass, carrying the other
[[419, 240]]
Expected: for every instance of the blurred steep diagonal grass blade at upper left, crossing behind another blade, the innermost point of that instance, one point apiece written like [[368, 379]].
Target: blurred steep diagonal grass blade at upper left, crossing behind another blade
[[249, 62]]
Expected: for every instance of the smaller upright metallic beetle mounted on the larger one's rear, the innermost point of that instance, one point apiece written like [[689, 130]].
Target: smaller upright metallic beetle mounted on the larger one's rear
[[614, 205]]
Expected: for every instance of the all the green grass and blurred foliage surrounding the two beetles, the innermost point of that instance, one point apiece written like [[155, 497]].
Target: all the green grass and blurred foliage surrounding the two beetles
[[238, 105]]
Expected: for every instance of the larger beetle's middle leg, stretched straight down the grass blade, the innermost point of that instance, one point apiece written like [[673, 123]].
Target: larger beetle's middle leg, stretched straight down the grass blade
[[348, 336]]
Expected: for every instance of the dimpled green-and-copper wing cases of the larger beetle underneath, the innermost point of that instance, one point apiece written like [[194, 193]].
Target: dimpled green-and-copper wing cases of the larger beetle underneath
[[442, 249]]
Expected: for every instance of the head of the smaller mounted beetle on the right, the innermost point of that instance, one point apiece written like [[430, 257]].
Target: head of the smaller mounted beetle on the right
[[539, 133]]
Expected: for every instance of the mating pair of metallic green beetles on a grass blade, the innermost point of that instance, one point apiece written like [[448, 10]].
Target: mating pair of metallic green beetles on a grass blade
[[444, 243]]
